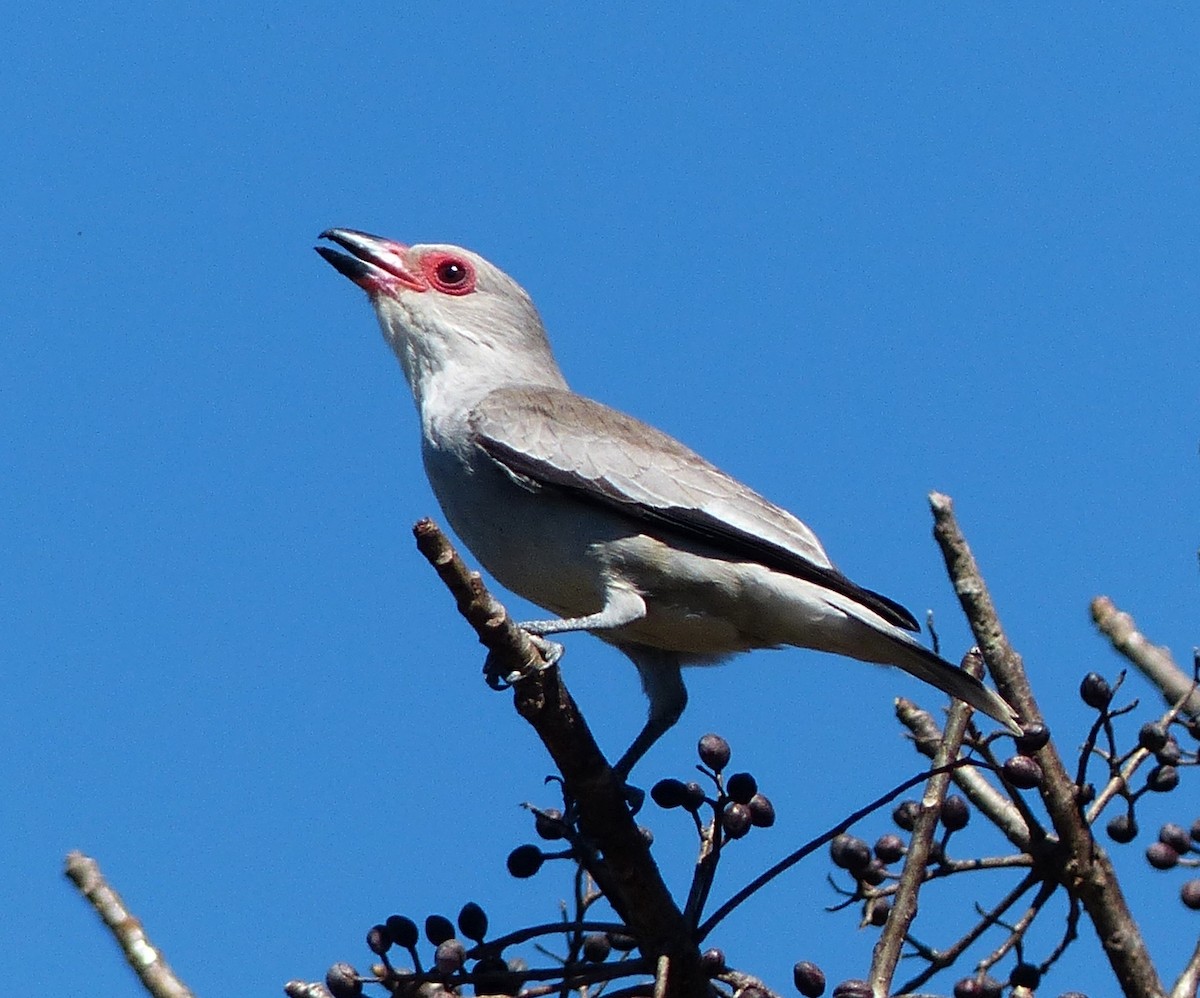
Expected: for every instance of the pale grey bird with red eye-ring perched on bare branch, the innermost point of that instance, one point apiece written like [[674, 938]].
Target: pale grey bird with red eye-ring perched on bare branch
[[603, 520]]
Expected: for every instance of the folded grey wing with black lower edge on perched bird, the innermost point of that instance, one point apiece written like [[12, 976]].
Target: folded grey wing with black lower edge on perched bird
[[555, 438]]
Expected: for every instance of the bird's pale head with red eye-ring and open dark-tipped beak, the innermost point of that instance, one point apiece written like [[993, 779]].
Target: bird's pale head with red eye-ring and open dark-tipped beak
[[446, 311]]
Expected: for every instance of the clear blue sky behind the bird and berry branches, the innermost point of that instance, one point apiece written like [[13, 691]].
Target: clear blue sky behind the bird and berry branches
[[851, 255]]
